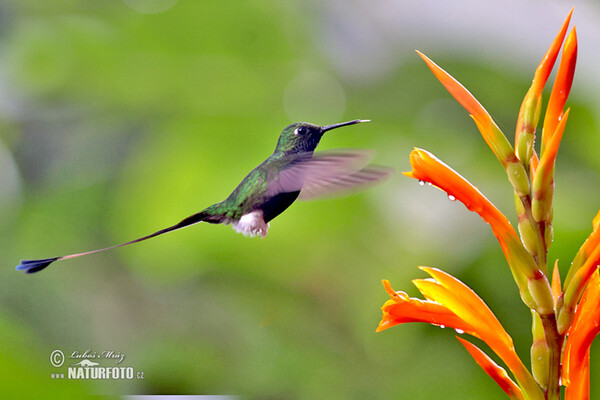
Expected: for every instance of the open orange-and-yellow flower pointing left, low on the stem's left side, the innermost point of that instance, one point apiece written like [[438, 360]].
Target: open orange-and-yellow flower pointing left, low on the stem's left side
[[449, 302]]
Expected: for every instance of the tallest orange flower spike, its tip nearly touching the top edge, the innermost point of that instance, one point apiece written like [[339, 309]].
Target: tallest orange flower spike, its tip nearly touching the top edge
[[530, 108]]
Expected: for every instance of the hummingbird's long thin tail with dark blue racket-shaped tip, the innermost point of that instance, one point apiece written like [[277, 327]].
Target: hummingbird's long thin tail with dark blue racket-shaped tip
[[31, 266]]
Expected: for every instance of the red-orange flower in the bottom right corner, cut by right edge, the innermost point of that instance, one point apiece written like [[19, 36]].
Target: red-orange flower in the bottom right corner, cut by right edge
[[576, 356]]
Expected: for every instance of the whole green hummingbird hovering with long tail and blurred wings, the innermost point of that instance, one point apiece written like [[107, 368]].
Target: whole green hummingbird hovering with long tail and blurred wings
[[293, 171]]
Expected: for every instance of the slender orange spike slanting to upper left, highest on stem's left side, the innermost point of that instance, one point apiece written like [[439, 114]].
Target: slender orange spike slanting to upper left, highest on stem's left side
[[486, 125]]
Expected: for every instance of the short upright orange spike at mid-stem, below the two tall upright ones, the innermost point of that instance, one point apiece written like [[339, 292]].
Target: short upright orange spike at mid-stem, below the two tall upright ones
[[543, 180]]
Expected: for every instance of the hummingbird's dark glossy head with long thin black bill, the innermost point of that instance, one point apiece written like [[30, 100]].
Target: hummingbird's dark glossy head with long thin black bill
[[304, 137]]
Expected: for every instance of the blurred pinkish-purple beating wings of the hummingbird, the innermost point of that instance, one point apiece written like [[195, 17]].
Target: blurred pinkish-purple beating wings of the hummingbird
[[327, 173]]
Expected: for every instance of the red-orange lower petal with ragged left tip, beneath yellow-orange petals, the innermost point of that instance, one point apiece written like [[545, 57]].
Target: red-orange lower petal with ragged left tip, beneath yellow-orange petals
[[403, 309]]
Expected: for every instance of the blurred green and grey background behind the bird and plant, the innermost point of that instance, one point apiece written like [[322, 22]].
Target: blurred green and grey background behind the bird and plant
[[120, 117]]
